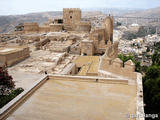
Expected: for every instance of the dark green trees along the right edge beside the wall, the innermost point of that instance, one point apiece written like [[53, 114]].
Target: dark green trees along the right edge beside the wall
[[151, 85]]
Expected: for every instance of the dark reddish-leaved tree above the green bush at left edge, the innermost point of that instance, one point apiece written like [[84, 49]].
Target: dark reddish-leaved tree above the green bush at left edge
[[6, 81]]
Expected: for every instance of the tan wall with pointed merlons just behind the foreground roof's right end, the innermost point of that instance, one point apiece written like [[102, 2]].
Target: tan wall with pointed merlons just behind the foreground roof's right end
[[112, 66]]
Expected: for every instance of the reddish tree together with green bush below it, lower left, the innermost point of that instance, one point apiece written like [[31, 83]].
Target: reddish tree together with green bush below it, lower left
[[7, 90]]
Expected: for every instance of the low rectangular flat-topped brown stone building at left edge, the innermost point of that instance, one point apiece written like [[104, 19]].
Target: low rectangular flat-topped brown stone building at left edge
[[12, 55]]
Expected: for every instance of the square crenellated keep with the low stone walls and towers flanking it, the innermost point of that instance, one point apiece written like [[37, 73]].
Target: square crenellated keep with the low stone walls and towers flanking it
[[71, 22]]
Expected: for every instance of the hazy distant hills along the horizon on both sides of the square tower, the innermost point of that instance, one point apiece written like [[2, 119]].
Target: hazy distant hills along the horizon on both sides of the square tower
[[7, 23]]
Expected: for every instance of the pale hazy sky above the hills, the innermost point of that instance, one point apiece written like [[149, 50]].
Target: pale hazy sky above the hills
[[26, 6]]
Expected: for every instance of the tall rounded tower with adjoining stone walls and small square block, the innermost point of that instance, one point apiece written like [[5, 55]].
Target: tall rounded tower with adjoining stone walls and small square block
[[99, 38]]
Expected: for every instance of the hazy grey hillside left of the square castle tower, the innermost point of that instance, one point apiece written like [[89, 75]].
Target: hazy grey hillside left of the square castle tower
[[7, 23]]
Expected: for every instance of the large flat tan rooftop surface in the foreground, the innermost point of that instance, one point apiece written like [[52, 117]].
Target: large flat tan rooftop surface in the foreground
[[74, 100]]
